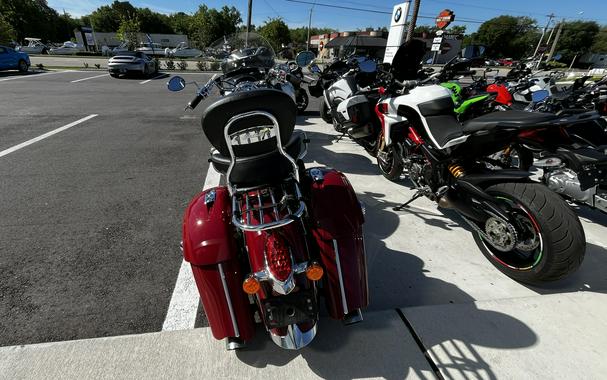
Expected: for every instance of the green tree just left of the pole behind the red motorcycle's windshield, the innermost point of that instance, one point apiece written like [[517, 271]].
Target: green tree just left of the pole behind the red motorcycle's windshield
[[209, 24]]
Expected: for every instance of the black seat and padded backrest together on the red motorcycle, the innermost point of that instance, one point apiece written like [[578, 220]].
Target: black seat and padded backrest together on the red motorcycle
[[251, 141]]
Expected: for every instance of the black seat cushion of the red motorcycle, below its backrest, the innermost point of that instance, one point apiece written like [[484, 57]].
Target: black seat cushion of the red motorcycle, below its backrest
[[266, 168]]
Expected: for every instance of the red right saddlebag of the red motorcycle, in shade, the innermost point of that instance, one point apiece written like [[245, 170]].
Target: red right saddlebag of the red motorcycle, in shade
[[338, 219]]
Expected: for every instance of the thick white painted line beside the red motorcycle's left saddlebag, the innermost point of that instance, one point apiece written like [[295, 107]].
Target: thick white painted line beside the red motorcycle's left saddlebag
[[184, 301]]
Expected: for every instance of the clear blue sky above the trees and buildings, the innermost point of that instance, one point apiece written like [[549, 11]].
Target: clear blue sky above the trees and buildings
[[470, 12]]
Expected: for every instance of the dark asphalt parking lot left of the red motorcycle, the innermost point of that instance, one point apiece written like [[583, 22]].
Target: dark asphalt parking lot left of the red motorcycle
[[90, 219]]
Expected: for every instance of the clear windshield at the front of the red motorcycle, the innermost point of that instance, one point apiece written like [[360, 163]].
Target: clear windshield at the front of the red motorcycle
[[238, 51]]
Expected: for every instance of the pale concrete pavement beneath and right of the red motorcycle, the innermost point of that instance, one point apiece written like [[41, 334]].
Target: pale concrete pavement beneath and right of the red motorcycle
[[474, 322]]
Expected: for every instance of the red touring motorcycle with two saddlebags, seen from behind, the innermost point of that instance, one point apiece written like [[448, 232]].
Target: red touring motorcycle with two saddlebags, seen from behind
[[264, 247]]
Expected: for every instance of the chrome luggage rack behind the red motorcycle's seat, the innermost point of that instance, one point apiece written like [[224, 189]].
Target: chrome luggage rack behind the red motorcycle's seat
[[246, 218]]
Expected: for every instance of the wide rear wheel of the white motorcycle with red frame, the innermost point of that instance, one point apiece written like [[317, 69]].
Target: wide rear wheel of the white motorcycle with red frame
[[548, 242]]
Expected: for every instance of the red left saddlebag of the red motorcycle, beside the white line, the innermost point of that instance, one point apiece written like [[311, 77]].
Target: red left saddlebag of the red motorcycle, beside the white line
[[209, 245]]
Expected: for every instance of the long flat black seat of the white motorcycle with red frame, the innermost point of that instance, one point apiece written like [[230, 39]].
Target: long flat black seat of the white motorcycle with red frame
[[507, 119]]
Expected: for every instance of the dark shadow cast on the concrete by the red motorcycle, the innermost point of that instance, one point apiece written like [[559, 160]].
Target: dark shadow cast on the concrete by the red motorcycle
[[382, 346]]
